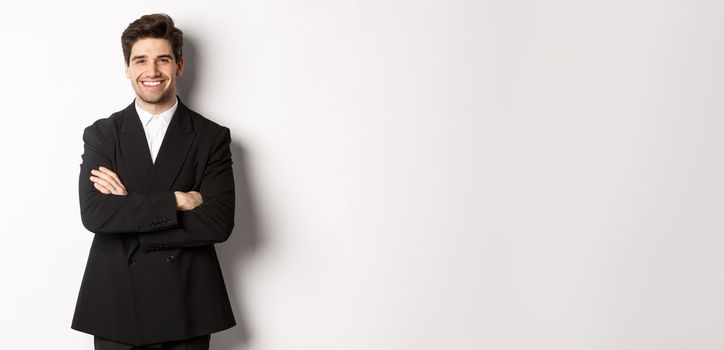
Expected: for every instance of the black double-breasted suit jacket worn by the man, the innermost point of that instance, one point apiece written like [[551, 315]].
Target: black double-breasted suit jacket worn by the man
[[152, 273]]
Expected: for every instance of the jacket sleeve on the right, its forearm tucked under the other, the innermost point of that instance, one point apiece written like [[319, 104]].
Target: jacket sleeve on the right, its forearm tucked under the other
[[213, 220]]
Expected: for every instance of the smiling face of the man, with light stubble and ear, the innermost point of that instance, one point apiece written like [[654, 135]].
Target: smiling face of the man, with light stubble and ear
[[153, 70]]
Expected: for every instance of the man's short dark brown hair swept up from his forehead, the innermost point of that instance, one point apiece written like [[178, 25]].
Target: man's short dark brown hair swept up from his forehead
[[158, 25]]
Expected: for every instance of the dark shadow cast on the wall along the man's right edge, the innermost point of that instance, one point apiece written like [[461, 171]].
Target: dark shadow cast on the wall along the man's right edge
[[244, 240]]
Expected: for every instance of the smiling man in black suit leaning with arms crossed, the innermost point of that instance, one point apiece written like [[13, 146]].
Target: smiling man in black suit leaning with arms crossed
[[157, 189]]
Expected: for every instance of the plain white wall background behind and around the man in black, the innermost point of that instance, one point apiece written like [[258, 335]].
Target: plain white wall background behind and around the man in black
[[412, 175]]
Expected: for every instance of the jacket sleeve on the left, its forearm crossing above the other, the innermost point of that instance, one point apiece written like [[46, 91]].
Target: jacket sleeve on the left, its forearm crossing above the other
[[108, 213]]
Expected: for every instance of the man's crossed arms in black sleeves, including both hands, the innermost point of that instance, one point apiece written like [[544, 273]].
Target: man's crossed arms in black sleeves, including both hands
[[162, 220]]
